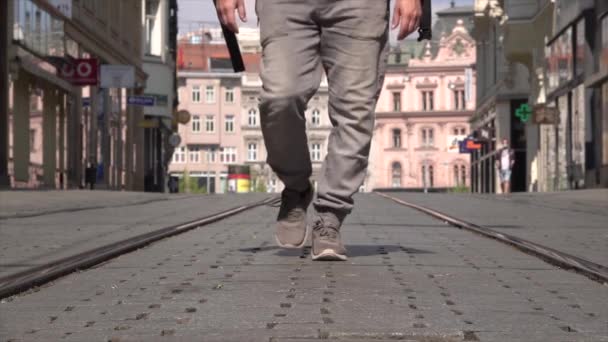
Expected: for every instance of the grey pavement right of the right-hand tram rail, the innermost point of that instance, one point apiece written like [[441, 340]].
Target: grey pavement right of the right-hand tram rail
[[573, 222]]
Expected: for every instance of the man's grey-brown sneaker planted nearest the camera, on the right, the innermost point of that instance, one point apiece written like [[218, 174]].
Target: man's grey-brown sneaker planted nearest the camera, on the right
[[326, 242]]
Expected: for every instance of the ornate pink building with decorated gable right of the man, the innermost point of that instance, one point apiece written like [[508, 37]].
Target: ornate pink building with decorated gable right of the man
[[423, 111]]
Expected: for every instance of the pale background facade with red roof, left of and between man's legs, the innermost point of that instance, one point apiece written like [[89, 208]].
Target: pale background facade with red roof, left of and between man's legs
[[224, 127]]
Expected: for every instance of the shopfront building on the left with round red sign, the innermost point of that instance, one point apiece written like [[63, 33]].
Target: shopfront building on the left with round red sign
[[57, 126]]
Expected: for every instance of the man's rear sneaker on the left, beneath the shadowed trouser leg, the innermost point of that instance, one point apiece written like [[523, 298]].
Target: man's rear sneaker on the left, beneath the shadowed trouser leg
[[292, 230]]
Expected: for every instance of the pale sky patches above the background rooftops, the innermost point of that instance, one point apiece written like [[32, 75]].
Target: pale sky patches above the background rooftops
[[193, 13]]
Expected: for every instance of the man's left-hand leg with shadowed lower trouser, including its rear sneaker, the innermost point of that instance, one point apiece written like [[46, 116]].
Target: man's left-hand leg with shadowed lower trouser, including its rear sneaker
[[291, 73]]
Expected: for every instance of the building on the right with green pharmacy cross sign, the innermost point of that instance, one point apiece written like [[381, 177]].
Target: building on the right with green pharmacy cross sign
[[540, 86]]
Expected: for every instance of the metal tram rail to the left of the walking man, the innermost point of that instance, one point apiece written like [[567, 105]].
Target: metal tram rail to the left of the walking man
[[39, 275]]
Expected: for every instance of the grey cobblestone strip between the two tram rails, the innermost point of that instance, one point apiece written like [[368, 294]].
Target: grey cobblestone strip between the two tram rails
[[409, 277]]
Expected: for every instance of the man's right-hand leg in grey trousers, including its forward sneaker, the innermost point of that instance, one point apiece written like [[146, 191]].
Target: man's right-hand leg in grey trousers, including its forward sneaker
[[353, 41]]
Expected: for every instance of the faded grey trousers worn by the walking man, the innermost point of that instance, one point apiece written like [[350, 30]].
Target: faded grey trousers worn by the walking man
[[300, 39]]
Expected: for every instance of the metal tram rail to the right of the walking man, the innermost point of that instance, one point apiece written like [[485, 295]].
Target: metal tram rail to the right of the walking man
[[555, 257]]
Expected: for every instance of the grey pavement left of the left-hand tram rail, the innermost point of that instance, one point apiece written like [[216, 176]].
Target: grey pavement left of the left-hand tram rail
[[30, 241]]
